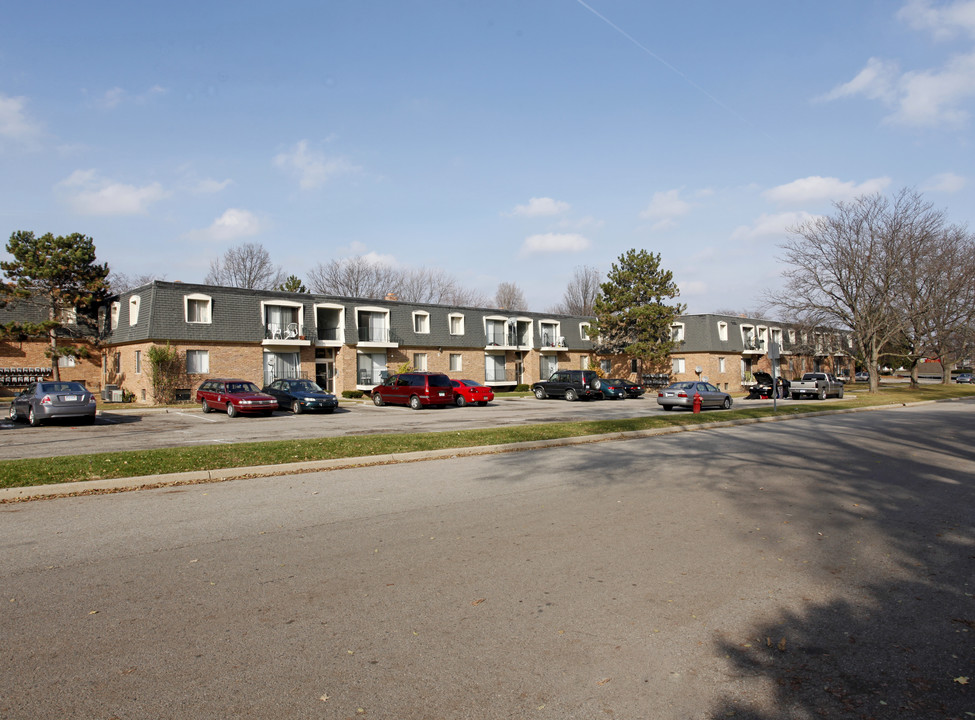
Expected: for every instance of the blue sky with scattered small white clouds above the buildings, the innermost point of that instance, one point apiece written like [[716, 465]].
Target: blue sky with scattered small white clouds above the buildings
[[503, 141]]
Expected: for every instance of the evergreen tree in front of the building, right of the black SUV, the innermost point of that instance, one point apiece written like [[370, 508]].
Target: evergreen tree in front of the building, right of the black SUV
[[632, 311]]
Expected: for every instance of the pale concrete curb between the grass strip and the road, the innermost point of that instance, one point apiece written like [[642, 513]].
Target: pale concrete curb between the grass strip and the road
[[197, 477]]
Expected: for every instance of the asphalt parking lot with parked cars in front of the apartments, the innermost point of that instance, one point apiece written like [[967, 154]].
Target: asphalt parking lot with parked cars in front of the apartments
[[121, 427]]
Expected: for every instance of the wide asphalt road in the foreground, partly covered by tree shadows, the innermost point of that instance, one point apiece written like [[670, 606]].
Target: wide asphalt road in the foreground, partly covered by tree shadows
[[820, 567]]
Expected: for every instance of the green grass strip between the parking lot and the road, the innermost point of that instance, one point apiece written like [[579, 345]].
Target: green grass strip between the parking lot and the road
[[44, 471]]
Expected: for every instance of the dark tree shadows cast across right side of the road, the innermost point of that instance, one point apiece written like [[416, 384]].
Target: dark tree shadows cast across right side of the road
[[891, 632]]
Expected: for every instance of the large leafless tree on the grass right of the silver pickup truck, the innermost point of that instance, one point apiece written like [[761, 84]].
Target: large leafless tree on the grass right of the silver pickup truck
[[845, 269]]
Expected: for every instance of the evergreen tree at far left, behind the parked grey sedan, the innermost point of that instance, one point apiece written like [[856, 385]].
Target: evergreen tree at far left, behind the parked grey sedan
[[59, 273]]
